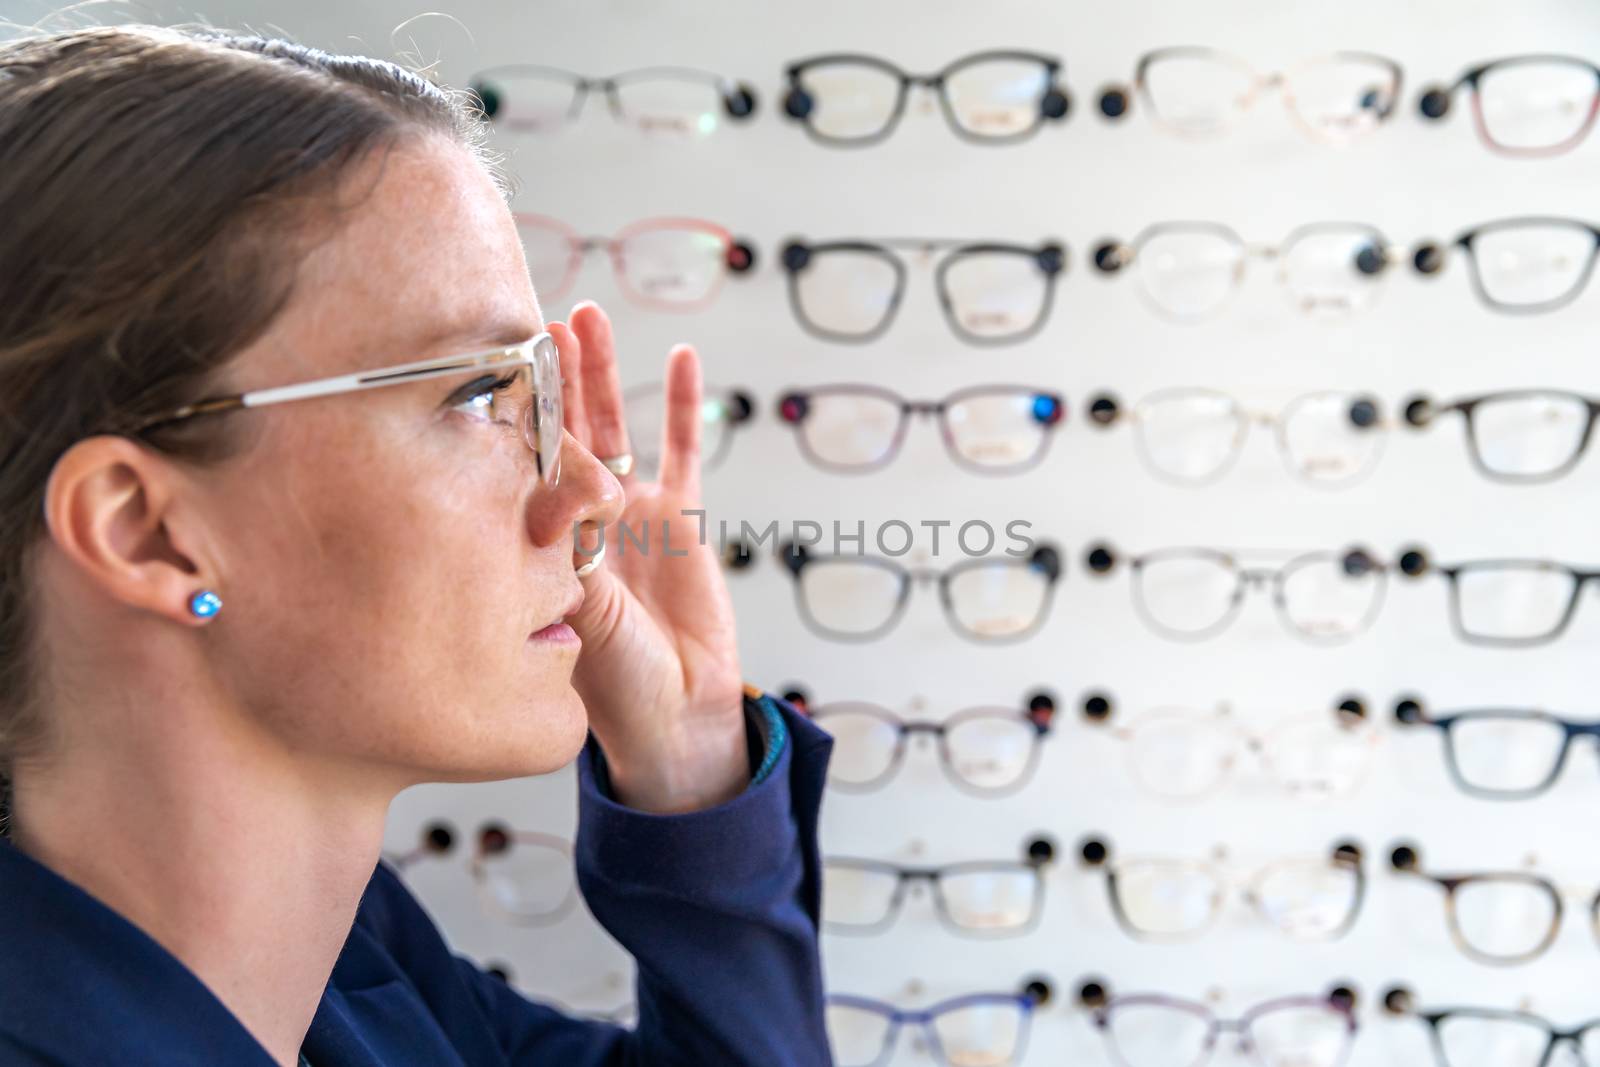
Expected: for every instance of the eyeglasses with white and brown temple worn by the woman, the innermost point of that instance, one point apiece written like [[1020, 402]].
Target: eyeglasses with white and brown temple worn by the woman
[[514, 386]]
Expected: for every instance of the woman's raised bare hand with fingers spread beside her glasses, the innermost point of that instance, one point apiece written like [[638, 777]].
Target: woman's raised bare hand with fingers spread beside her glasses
[[660, 668]]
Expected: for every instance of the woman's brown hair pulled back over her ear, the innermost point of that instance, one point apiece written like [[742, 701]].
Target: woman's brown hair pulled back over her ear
[[151, 188]]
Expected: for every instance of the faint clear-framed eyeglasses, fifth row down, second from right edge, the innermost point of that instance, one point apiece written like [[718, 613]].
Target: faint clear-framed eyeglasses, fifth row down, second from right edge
[[1188, 754]]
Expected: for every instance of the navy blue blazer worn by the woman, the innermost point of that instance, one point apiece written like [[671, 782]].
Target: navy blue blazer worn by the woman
[[719, 908]]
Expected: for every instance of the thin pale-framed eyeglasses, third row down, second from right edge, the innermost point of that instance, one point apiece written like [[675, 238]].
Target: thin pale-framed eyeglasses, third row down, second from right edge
[[1329, 439]]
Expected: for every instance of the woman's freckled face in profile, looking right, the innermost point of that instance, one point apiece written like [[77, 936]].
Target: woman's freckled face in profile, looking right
[[386, 557]]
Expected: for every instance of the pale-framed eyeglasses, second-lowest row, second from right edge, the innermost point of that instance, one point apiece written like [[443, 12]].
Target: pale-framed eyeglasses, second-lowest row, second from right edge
[[1159, 898]]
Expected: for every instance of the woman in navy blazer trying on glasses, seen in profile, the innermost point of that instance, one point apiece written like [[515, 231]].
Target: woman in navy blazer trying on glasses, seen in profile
[[289, 522]]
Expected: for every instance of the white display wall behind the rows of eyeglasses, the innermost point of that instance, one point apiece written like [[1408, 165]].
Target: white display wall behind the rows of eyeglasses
[[1082, 182]]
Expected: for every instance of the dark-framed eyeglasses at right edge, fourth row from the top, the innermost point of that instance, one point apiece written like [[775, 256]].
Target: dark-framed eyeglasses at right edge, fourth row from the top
[[1508, 604]]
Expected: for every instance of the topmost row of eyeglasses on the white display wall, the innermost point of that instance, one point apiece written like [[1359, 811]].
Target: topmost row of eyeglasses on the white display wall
[[1522, 106]]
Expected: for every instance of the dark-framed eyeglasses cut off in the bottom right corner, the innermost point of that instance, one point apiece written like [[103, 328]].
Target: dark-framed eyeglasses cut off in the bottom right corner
[[1473, 1037]]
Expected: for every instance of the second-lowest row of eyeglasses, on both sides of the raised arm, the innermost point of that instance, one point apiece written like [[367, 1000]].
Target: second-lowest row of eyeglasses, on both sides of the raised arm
[[1498, 917]]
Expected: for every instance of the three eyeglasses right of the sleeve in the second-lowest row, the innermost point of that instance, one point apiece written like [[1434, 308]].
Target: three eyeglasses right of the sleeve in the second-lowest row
[[1500, 917]]
